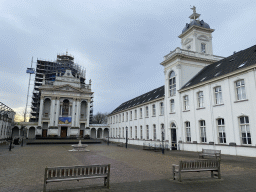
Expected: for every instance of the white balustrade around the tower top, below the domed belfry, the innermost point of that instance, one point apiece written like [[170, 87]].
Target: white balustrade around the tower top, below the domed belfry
[[192, 53]]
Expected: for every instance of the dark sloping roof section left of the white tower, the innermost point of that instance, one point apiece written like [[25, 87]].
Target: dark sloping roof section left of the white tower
[[149, 96]]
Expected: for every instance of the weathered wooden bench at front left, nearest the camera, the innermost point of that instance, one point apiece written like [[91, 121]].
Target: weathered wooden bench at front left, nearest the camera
[[56, 174]]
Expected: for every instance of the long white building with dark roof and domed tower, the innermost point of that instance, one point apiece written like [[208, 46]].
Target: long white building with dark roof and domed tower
[[207, 100]]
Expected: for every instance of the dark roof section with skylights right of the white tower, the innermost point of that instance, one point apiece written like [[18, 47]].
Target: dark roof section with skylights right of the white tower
[[239, 60]]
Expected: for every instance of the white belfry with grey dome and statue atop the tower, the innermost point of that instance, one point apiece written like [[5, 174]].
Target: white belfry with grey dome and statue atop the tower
[[196, 35]]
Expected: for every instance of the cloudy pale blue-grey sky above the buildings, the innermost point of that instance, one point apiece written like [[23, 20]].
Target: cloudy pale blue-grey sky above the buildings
[[121, 43]]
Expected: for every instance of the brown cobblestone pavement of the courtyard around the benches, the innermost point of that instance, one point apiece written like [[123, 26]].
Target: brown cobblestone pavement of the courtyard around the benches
[[132, 169]]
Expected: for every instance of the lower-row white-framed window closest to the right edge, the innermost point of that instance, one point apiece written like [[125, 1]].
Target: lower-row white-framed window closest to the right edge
[[245, 130]]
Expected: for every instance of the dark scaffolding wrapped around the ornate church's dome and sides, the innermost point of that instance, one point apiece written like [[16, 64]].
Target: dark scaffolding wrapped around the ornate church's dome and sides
[[49, 70]]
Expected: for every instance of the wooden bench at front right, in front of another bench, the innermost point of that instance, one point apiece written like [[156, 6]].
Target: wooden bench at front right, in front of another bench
[[197, 166]]
